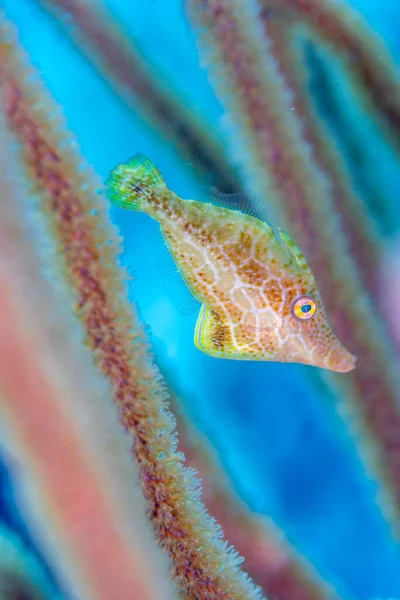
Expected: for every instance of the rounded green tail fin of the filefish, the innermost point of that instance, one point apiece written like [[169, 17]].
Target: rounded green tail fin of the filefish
[[131, 184]]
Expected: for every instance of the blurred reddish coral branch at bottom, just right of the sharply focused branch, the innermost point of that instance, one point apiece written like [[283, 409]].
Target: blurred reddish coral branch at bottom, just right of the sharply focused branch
[[269, 559]]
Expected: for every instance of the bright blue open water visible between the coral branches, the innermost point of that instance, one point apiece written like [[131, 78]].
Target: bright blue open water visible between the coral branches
[[287, 451]]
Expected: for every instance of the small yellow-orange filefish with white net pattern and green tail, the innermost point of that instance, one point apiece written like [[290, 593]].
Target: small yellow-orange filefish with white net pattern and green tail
[[259, 299]]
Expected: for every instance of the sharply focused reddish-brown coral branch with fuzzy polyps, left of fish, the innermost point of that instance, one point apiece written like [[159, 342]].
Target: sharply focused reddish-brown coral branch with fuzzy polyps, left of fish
[[88, 247]]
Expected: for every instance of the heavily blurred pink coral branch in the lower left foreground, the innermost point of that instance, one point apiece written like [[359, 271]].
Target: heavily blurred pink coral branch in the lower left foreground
[[78, 489]]
